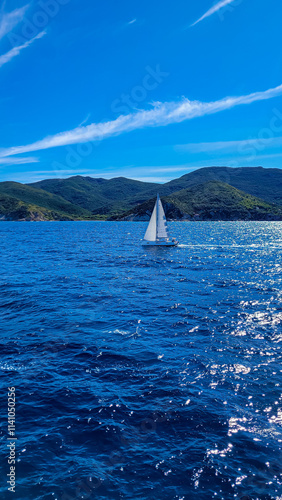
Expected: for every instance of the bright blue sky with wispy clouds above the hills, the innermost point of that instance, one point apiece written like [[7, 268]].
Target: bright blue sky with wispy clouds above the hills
[[147, 90]]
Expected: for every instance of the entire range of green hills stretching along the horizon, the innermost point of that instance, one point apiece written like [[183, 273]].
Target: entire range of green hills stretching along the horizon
[[212, 193]]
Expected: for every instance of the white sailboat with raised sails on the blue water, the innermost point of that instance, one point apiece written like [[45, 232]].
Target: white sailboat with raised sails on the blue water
[[157, 233]]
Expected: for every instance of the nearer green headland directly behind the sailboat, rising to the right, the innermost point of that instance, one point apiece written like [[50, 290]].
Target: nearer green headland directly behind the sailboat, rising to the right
[[211, 200]]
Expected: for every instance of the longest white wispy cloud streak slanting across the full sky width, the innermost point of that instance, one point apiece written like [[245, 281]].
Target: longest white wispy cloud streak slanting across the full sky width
[[162, 114]]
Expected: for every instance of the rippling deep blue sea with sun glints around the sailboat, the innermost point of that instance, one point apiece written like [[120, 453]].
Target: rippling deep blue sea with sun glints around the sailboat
[[150, 374]]
